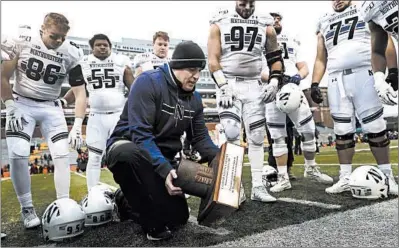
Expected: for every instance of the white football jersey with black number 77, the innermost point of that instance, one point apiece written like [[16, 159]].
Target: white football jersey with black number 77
[[347, 39]]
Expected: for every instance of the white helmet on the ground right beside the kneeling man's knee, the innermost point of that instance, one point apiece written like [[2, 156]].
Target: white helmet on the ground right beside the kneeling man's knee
[[98, 207]]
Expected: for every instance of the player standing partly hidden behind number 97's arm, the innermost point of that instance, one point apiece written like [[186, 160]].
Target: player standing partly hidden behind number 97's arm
[[296, 69]]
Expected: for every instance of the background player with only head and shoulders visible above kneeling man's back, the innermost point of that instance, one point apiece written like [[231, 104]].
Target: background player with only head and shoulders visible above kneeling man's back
[[151, 60]]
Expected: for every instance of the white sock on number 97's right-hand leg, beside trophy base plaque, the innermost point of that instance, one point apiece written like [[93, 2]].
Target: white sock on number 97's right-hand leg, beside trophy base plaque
[[256, 158]]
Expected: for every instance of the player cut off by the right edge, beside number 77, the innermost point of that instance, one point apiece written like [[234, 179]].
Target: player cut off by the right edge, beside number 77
[[382, 19]]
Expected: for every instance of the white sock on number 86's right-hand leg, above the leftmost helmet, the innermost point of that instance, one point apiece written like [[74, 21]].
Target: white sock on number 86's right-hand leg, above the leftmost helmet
[[62, 176]]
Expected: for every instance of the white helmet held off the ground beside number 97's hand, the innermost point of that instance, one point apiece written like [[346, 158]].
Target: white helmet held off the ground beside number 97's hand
[[289, 98]]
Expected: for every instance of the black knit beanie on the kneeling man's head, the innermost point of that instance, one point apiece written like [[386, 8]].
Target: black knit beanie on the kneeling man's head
[[187, 54]]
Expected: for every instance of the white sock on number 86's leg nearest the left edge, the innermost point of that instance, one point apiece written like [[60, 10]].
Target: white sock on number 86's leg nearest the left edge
[[20, 177]]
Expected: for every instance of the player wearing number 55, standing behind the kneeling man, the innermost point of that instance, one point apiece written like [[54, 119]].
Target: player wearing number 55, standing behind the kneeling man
[[107, 74]]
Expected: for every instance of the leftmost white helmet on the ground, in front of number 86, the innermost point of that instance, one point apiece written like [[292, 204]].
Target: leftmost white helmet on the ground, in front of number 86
[[63, 218]]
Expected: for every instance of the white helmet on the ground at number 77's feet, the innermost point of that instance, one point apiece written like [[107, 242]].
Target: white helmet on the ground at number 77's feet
[[368, 182]]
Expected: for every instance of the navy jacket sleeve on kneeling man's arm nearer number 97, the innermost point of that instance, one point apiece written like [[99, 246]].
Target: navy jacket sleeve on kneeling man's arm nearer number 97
[[200, 140]]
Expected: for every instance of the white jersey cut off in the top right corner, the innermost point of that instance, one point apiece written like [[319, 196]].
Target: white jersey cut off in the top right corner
[[383, 13]]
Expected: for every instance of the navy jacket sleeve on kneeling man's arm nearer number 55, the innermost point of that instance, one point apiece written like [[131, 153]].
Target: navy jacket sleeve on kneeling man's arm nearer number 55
[[142, 114]]
